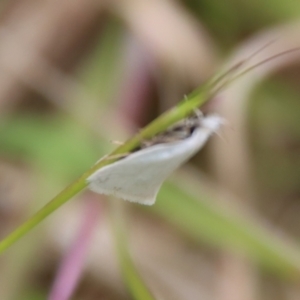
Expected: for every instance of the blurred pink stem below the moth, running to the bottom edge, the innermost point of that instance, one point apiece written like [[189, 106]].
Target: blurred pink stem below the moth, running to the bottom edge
[[72, 265]]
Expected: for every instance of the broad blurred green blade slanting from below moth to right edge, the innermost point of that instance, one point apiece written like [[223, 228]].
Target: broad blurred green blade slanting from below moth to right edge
[[199, 216]]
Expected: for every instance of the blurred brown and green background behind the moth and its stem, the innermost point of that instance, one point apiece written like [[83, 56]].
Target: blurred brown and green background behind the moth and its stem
[[78, 76]]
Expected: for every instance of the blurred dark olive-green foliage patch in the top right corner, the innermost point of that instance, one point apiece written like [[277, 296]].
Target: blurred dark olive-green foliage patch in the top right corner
[[231, 20]]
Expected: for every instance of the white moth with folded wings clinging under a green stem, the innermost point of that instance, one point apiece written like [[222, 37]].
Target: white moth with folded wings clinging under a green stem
[[139, 176]]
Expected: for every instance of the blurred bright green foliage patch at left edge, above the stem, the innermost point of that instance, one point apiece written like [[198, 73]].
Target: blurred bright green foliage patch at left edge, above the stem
[[54, 144]]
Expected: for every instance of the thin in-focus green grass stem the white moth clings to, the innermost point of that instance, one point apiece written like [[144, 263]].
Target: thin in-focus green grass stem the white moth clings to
[[170, 117]]
